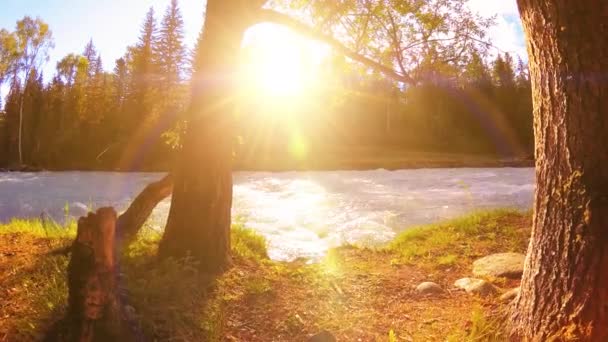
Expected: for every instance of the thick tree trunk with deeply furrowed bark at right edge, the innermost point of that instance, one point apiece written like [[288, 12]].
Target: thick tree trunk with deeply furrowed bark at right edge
[[564, 291]]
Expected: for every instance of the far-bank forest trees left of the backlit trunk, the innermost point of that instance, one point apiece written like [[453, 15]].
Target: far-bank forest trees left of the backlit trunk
[[85, 103]]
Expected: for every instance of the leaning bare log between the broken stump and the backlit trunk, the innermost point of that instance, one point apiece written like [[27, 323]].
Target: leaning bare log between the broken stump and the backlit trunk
[[131, 221]]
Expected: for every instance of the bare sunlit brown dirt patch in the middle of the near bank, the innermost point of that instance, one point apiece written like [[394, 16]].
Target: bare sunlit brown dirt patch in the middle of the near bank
[[357, 296]]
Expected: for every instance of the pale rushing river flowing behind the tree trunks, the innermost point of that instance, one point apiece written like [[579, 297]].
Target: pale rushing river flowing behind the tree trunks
[[301, 214]]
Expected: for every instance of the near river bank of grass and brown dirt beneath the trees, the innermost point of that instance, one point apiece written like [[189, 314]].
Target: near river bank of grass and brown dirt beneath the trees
[[353, 292]]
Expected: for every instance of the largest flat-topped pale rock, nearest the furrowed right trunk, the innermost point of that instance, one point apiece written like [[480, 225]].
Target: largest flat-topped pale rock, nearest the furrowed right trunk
[[509, 265]]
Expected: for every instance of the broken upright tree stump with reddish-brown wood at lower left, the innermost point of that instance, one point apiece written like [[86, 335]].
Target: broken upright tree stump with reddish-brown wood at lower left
[[93, 312]]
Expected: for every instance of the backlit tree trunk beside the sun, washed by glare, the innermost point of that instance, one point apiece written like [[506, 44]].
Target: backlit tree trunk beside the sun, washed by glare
[[199, 218]]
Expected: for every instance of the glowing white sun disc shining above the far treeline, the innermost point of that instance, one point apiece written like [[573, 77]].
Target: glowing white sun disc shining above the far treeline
[[279, 65]]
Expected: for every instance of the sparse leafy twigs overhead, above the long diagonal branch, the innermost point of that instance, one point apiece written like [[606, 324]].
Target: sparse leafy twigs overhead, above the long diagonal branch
[[417, 36]]
